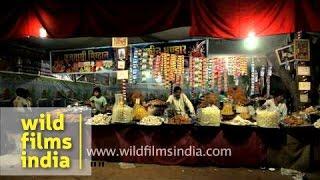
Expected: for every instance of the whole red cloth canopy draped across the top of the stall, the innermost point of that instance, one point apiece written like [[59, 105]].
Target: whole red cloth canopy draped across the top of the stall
[[223, 18]]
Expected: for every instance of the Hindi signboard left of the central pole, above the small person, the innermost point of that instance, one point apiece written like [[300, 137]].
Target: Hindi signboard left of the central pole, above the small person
[[89, 60]]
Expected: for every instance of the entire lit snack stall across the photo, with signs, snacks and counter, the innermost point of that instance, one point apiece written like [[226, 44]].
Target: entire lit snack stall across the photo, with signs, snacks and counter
[[205, 93]]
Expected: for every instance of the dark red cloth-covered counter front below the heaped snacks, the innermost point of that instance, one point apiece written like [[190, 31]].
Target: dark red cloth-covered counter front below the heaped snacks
[[296, 148]]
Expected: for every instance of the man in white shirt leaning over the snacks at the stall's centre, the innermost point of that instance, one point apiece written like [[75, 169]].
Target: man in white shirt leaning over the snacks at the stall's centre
[[179, 101]]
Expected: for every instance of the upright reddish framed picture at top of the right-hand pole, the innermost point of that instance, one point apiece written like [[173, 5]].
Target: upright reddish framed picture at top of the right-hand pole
[[302, 49]]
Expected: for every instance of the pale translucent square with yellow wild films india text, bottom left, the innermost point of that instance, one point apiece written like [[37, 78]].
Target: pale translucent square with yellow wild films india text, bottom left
[[45, 141]]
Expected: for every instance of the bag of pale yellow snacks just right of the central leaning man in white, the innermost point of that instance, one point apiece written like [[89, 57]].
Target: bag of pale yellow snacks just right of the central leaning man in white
[[209, 116]]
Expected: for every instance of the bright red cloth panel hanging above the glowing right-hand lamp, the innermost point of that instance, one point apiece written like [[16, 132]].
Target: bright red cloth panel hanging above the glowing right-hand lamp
[[236, 18]]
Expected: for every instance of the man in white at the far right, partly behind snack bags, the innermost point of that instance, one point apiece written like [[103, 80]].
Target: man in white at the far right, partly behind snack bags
[[277, 103]]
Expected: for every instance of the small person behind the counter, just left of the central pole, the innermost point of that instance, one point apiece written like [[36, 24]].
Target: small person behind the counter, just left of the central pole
[[98, 101]]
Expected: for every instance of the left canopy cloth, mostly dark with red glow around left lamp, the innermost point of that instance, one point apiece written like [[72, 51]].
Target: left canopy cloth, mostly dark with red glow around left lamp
[[63, 19]]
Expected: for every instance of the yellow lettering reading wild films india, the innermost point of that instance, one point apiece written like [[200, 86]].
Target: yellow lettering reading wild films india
[[35, 139]]
